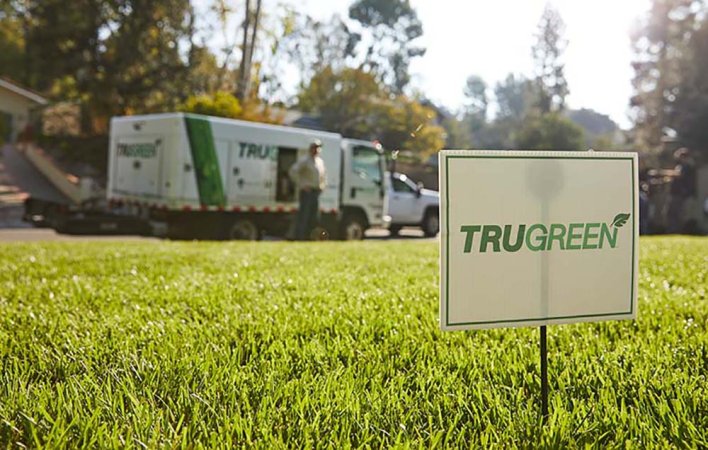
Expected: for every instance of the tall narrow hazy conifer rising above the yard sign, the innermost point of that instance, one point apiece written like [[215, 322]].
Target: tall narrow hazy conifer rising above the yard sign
[[551, 85]]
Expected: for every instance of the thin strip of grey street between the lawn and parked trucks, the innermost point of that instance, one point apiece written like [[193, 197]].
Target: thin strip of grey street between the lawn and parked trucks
[[45, 234]]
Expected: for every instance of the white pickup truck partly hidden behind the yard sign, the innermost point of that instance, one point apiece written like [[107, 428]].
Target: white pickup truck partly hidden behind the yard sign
[[410, 205]]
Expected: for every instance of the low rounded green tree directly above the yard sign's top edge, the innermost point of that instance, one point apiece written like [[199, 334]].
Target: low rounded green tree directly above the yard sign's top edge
[[549, 132]]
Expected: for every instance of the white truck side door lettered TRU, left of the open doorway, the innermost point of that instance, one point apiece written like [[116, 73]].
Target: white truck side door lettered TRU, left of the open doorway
[[252, 175]]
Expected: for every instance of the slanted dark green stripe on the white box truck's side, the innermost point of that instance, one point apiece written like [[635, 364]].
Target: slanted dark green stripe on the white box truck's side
[[206, 163]]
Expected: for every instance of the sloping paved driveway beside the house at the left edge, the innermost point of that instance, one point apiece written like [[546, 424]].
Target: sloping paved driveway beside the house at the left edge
[[18, 180]]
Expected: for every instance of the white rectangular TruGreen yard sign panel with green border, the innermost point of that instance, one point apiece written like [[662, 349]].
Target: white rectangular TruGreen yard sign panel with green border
[[537, 238]]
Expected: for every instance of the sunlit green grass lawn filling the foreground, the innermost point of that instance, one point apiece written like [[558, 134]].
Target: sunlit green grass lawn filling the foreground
[[277, 344]]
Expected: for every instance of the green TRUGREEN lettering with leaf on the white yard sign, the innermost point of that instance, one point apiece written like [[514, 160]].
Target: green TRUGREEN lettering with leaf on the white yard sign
[[540, 237]]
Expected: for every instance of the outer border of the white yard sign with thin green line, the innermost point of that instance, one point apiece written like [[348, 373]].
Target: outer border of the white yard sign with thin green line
[[482, 154]]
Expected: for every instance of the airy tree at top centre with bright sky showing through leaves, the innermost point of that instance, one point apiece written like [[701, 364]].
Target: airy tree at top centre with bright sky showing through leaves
[[393, 26]]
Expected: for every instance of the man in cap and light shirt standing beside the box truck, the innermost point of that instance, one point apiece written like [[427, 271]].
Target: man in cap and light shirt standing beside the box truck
[[309, 176]]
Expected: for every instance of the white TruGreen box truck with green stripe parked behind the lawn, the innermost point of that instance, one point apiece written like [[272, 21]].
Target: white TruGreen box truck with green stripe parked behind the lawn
[[216, 178]]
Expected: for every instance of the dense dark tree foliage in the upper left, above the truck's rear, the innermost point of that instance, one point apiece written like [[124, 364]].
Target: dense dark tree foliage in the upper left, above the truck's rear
[[110, 56]]
